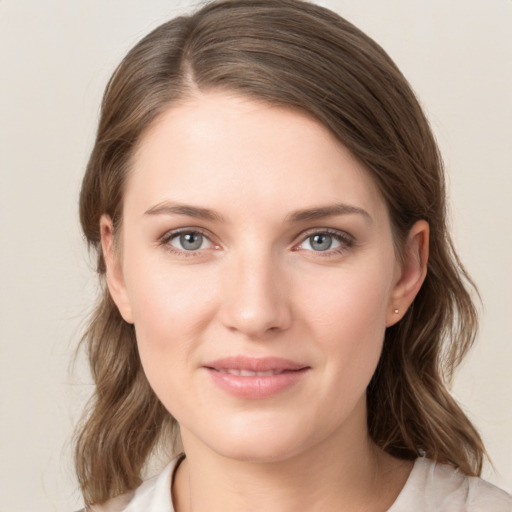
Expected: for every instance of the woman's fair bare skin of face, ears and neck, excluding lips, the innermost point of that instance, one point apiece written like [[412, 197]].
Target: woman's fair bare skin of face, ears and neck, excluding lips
[[259, 286]]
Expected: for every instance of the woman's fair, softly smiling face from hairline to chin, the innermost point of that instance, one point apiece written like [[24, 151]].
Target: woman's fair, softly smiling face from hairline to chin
[[257, 265]]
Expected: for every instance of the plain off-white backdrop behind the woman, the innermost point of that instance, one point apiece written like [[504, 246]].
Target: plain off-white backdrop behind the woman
[[55, 59]]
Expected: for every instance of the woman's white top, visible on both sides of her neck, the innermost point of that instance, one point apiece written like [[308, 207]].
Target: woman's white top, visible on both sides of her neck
[[431, 487]]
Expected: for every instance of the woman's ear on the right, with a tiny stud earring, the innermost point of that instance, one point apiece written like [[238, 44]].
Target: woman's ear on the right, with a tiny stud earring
[[410, 273]]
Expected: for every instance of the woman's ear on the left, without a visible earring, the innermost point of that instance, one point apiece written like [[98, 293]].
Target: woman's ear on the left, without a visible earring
[[115, 279]]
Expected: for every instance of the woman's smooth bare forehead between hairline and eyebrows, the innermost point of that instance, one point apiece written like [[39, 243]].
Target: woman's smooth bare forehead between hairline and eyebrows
[[223, 150]]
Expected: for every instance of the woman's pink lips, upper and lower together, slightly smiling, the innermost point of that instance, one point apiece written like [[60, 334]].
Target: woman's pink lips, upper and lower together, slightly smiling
[[255, 378]]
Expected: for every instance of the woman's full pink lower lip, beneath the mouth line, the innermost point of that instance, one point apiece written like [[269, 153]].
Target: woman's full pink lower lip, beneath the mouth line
[[258, 386]]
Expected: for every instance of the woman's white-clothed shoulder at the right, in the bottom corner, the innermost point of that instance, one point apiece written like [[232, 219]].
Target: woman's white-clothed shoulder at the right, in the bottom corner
[[442, 488]]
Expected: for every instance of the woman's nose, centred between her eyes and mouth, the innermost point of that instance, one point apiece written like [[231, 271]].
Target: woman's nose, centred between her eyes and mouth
[[256, 299]]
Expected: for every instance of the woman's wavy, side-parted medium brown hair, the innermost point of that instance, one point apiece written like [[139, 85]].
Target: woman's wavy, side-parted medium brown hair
[[299, 55]]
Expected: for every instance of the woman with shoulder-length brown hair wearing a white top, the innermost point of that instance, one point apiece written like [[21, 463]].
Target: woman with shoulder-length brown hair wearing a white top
[[281, 296]]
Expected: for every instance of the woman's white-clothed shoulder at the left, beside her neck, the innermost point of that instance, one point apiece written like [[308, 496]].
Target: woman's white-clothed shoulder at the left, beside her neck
[[152, 495]]
